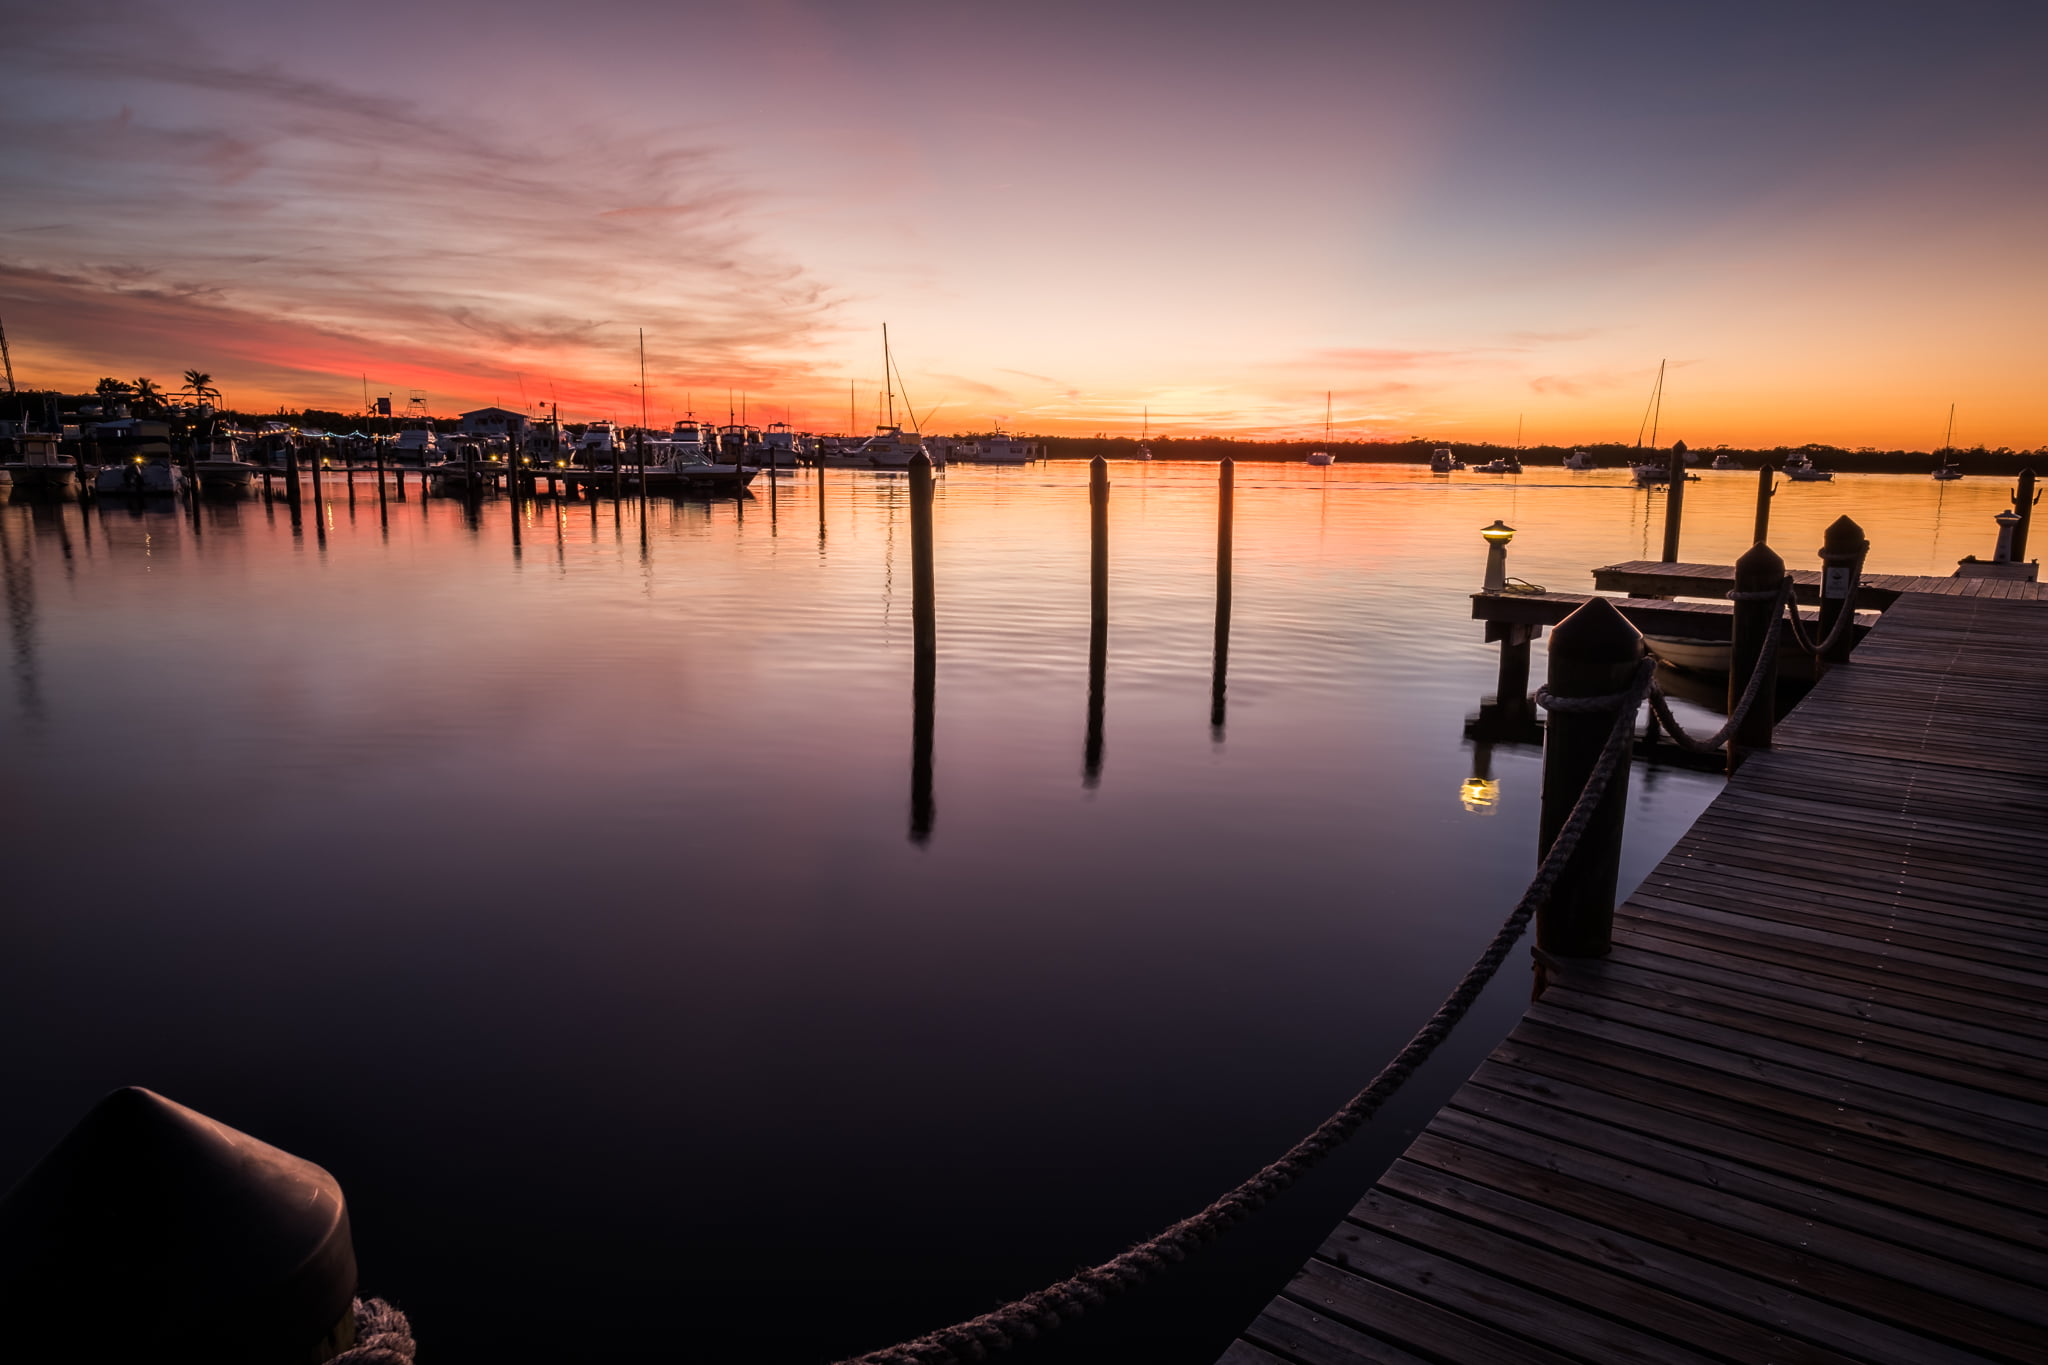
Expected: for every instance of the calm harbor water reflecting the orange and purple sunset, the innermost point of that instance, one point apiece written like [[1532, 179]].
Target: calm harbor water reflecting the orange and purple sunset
[[556, 889]]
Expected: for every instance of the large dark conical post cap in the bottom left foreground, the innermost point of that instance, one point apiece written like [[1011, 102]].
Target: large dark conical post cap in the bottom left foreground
[[159, 1233]]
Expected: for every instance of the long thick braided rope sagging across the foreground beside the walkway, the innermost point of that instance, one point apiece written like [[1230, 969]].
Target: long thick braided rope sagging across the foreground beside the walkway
[[1048, 1309]]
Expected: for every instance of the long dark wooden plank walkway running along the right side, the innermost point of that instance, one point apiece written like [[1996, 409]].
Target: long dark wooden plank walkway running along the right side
[[1801, 1114]]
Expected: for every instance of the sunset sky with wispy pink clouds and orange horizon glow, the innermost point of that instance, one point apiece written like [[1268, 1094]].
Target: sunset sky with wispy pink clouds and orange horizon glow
[[1455, 220]]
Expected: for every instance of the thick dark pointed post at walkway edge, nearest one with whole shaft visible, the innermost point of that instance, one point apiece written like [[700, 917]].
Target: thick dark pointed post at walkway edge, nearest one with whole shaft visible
[[1594, 654]]
